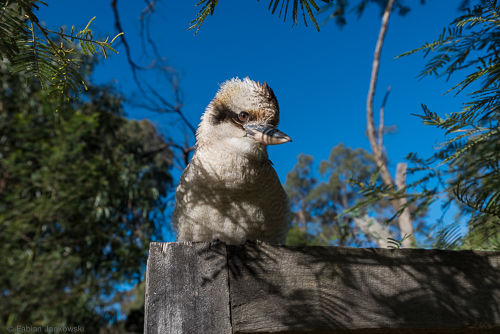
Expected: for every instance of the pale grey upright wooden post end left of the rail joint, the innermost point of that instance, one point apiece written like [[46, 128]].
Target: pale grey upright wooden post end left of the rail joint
[[187, 289]]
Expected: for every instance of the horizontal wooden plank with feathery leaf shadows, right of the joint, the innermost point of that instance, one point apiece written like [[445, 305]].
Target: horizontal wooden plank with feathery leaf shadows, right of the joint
[[331, 288]]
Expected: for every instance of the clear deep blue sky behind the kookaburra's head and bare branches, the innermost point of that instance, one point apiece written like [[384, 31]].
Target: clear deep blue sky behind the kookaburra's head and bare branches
[[320, 78]]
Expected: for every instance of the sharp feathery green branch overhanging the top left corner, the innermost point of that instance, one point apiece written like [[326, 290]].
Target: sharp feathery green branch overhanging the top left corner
[[47, 55]]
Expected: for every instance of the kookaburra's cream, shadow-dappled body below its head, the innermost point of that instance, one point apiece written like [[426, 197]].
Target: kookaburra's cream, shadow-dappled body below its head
[[231, 211]]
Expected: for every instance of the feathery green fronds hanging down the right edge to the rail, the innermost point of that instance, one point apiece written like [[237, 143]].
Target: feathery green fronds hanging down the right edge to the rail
[[470, 180]]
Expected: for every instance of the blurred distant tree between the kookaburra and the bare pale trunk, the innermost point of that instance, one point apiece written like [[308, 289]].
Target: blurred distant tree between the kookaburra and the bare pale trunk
[[325, 209]]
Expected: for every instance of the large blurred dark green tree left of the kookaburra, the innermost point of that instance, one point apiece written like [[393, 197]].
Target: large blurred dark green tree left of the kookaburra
[[80, 197]]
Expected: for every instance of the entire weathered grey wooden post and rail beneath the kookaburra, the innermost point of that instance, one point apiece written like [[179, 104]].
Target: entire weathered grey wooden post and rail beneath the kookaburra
[[260, 288]]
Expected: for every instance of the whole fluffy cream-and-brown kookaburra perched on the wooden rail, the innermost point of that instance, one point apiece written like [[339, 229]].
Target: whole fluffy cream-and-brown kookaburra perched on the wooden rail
[[230, 191]]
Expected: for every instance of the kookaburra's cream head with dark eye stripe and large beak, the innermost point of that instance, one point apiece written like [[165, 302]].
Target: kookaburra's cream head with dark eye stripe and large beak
[[243, 115]]
